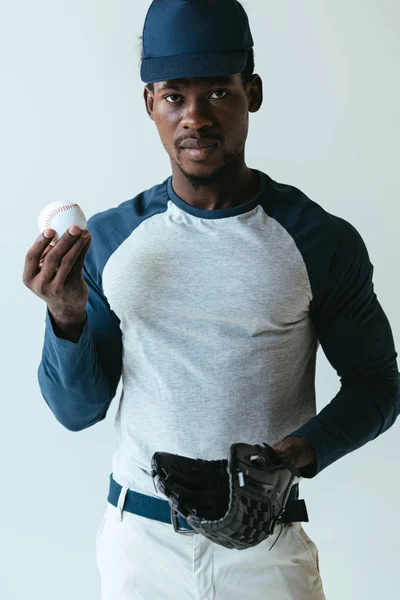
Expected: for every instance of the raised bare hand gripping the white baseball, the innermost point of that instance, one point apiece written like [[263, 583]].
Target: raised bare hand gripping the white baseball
[[53, 271]]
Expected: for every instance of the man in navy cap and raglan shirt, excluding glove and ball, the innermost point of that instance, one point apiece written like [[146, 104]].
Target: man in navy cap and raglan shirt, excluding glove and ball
[[210, 293]]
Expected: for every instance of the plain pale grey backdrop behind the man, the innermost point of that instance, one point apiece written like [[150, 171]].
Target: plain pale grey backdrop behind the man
[[73, 126]]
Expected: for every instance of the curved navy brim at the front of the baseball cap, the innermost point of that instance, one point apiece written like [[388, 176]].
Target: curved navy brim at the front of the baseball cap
[[183, 66]]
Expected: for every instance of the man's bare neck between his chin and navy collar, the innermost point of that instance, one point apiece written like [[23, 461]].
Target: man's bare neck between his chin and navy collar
[[234, 186]]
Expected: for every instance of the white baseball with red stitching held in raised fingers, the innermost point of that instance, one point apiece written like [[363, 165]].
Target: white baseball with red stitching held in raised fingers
[[60, 216]]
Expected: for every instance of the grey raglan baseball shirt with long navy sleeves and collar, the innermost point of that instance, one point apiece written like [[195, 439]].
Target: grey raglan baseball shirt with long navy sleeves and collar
[[213, 319]]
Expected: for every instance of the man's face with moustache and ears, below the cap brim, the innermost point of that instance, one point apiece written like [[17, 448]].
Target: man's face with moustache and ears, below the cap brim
[[203, 123]]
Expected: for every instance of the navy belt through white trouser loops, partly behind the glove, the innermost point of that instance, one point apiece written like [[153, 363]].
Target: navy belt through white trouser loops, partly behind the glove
[[157, 509]]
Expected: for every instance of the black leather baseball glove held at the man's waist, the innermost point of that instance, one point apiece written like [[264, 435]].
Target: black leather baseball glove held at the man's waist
[[235, 502]]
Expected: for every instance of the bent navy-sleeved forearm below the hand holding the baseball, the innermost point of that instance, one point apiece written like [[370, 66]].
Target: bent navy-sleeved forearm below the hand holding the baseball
[[72, 380]]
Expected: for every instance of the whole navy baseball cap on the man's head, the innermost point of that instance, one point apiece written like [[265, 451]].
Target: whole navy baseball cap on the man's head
[[194, 38]]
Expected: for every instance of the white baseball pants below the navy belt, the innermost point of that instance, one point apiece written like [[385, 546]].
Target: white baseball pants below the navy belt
[[143, 559]]
